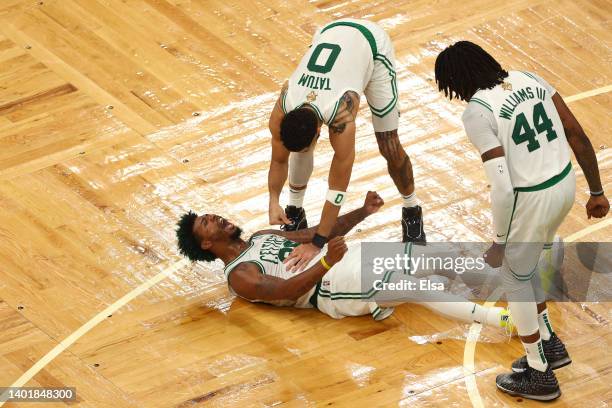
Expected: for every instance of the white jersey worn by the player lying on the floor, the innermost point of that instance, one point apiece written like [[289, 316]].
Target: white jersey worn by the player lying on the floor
[[268, 251]]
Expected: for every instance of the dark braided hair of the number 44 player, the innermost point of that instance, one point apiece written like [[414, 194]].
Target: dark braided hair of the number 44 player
[[464, 67]]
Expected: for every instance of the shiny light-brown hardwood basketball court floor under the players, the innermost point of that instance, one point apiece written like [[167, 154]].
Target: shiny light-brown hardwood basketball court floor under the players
[[116, 116]]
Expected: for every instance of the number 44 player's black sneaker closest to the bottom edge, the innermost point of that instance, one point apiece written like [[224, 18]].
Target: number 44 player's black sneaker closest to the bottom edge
[[531, 384]]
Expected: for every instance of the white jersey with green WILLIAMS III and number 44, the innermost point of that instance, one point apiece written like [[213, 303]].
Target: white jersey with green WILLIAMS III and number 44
[[529, 128]]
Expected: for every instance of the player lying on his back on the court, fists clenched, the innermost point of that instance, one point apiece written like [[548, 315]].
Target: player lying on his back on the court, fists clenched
[[331, 283]]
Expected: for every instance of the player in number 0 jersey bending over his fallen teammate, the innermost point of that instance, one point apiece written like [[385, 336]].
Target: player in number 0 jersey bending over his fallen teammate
[[347, 58]]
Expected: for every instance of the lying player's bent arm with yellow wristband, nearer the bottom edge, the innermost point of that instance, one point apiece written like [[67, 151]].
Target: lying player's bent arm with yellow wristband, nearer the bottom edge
[[248, 281]]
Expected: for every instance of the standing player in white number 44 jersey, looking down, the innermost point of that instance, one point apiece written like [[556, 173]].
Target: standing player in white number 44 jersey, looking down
[[524, 132]]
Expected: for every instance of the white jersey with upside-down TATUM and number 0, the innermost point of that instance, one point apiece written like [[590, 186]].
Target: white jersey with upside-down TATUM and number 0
[[339, 60]]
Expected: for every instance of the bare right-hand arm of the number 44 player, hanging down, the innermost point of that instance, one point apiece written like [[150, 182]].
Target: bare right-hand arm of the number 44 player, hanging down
[[598, 205]]
